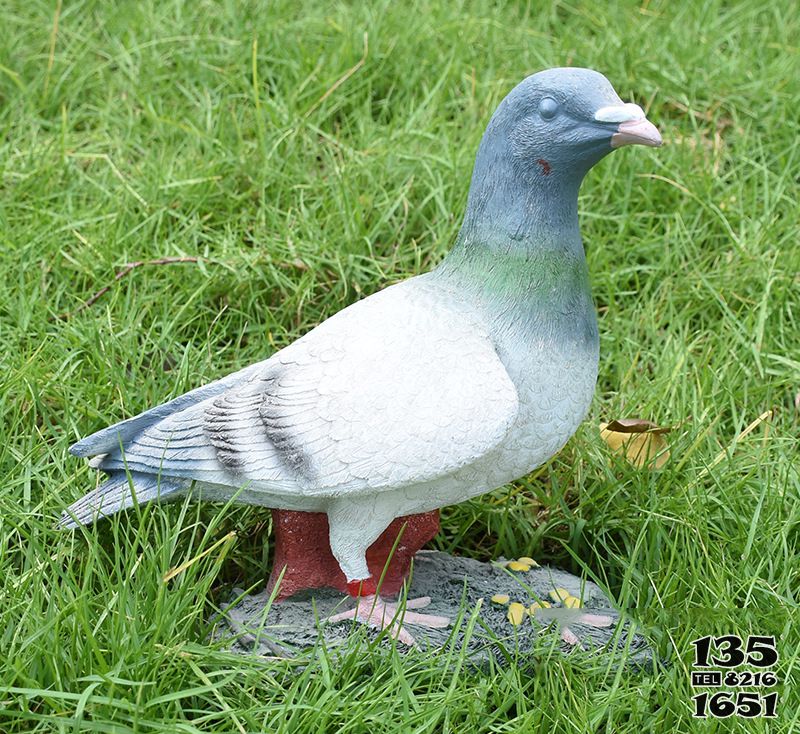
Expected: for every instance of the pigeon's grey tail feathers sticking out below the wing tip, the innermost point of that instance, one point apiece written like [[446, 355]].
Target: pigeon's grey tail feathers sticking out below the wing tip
[[115, 494]]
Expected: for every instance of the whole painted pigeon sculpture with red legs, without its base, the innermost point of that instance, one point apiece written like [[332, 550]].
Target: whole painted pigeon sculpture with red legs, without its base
[[434, 390]]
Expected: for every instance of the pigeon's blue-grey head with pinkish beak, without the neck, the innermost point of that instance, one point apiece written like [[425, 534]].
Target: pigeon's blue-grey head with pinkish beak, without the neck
[[560, 122]]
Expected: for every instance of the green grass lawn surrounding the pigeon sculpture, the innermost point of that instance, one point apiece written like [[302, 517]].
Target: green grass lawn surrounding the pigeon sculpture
[[310, 154]]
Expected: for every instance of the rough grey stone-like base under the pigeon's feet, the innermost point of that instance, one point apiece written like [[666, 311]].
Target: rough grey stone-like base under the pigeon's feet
[[460, 589]]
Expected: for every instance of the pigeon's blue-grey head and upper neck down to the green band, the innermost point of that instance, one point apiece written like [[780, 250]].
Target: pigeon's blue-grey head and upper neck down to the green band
[[540, 143]]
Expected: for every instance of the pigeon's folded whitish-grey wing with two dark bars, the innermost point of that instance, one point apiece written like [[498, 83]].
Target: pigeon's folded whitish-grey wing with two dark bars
[[400, 388]]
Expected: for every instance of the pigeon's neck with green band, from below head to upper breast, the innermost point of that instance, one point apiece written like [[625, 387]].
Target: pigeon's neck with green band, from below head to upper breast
[[519, 257]]
